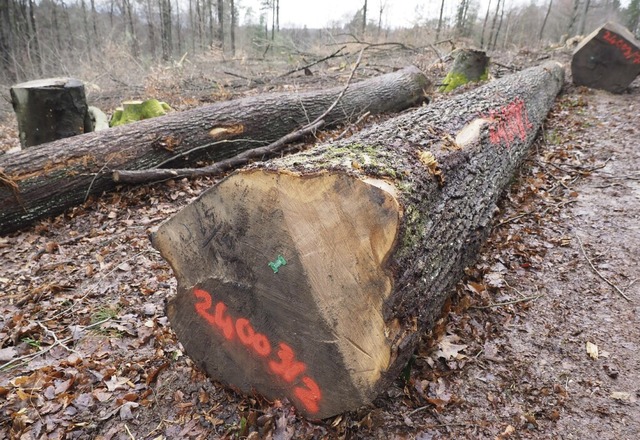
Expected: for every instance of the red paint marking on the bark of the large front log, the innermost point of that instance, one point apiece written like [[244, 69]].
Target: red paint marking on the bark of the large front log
[[509, 122]]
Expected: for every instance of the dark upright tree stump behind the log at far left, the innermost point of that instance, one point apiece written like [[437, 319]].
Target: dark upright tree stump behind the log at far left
[[50, 109]]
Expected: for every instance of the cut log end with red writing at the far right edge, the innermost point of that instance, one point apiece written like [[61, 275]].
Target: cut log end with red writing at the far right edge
[[608, 59]]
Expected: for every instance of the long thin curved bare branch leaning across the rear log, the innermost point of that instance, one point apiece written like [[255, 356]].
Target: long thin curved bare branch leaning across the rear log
[[157, 175]]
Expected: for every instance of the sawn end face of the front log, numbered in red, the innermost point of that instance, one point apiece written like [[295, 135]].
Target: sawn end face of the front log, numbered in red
[[290, 282]]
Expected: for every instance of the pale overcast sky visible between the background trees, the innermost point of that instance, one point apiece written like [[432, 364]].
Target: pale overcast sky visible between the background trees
[[319, 13]]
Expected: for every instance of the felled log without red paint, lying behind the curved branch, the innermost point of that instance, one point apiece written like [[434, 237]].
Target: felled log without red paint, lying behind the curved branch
[[52, 178]]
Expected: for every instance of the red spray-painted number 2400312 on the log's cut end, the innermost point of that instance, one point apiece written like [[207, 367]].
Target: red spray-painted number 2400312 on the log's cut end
[[284, 364]]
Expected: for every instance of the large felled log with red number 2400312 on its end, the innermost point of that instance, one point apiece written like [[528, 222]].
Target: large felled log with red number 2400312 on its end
[[314, 276]]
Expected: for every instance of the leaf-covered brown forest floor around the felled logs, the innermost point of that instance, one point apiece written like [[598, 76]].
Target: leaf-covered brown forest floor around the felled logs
[[541, 339]]
